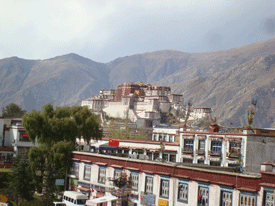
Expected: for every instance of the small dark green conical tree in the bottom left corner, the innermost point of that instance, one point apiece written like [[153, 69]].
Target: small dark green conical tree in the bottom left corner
[[20, 180]]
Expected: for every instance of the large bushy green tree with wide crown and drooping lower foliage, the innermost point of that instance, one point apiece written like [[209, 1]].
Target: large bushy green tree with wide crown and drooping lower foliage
[[56, 130]]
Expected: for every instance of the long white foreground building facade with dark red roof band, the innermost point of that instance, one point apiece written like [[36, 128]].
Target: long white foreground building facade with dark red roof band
[[171, 184]]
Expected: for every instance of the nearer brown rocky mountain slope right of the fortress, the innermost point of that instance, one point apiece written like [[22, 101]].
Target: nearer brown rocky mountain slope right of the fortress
[[229, 92]]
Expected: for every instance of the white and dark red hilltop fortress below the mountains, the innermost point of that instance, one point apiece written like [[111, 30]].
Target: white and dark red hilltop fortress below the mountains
[[135, 101]]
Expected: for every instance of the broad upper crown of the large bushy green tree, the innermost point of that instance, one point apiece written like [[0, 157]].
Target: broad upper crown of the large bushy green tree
[[52, 125]]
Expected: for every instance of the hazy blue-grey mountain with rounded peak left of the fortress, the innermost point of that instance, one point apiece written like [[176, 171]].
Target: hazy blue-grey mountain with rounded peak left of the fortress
[[65, 80]]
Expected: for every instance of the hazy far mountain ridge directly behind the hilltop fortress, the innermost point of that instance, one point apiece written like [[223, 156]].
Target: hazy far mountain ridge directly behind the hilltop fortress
[[168, 67]]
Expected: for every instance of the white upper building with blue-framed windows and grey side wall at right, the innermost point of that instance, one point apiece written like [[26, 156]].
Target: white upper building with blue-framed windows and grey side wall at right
[[246, 150]]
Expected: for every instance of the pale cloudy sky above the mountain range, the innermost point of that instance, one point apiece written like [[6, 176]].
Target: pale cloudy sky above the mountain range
[[104, 30]]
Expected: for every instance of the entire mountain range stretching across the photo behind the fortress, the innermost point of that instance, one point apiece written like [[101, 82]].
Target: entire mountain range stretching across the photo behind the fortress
[[224, 80]]
